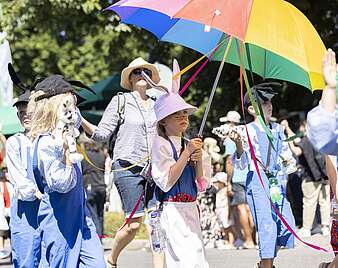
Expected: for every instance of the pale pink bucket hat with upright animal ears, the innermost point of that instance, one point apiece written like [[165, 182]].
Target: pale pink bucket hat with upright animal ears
[[171, 102]]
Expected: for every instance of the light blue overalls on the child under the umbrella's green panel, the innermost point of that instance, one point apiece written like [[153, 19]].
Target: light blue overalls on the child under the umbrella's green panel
[[271, 231]]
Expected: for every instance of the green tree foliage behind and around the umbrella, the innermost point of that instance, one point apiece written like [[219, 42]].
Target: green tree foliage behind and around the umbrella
[[78, 39]]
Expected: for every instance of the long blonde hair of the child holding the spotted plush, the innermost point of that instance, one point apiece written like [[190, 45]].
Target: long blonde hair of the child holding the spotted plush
[[44, 113]]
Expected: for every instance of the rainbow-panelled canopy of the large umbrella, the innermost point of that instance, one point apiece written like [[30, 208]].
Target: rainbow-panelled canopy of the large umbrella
[[279, 40]]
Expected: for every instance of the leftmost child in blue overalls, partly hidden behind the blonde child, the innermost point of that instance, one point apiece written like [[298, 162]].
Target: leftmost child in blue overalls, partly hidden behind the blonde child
[[26, 241]]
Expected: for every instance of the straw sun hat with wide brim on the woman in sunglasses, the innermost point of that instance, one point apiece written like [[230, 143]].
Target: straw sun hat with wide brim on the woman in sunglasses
[[135, 64]]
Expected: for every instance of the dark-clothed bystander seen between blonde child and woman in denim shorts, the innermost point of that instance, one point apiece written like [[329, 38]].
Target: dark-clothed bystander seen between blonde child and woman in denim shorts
[[93, 180]]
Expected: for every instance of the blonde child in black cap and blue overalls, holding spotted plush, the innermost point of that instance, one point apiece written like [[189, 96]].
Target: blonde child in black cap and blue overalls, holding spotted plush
[[66, 228]]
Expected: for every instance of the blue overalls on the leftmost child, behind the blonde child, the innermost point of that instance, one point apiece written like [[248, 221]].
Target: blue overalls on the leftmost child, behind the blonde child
[[25, 238]]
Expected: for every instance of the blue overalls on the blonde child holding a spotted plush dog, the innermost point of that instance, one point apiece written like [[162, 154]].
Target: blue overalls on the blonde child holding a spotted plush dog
[[68, 233]]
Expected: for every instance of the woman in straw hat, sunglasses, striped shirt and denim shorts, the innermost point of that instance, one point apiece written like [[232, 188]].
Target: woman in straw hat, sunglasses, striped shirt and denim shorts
[[132, 147]]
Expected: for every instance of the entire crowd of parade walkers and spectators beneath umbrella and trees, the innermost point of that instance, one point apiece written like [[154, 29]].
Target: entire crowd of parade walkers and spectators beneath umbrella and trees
[[226, 191]]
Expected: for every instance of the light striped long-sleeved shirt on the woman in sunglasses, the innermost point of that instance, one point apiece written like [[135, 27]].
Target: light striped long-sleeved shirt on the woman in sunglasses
[[136, 134]]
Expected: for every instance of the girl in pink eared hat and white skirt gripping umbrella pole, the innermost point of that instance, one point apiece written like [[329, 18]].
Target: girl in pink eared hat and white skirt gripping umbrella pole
[[177, 179]]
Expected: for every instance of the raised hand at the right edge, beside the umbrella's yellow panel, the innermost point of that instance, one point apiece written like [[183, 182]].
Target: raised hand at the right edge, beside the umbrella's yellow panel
[[330, 68]]
